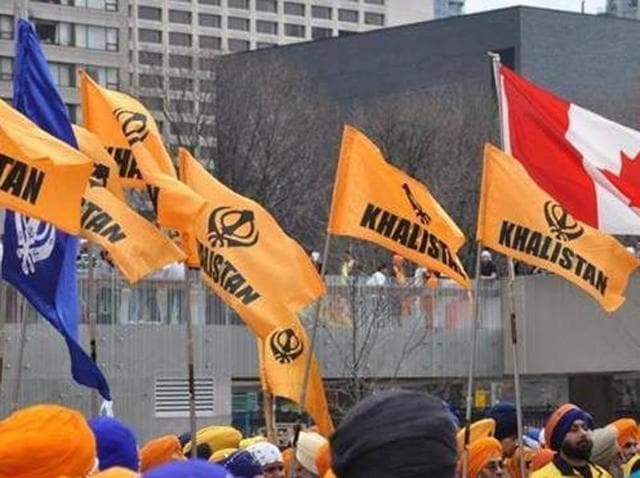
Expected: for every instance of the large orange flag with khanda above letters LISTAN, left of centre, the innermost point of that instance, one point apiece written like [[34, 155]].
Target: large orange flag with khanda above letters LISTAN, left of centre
[[262, 263]]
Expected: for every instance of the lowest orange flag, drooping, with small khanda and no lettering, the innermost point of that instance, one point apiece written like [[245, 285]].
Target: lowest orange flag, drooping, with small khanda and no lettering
[[285, 350]]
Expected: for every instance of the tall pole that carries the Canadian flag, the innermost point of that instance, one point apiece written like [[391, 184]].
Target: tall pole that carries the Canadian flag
[[495, 62]]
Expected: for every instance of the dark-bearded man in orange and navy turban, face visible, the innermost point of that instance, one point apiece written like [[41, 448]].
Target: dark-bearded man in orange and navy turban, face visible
[[567, 432]]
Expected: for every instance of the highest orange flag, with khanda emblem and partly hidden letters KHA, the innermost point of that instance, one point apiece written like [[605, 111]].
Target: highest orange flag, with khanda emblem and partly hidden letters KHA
[[125, 127]]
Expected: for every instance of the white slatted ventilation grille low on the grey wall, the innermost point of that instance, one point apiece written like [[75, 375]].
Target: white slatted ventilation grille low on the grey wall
[[172, 397]]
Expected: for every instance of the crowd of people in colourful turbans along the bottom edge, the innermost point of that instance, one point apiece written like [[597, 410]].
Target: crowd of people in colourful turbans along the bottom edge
[[392, 434]]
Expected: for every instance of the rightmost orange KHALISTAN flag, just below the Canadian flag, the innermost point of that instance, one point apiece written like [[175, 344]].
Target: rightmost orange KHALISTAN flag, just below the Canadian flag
[[520, 220]]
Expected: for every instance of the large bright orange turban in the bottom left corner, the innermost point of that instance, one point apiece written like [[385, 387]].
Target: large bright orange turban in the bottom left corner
[[46, 441]]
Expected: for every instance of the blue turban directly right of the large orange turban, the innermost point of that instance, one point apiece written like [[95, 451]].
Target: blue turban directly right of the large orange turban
[[116, 444]]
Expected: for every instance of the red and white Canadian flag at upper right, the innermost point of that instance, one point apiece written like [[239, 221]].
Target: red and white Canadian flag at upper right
[[588, 163]]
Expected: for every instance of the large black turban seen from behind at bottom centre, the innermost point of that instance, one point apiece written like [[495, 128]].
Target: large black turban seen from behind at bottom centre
[[398, 434]]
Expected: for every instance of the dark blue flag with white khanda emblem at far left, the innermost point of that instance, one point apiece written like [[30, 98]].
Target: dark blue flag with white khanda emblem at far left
[[39, 260]]
